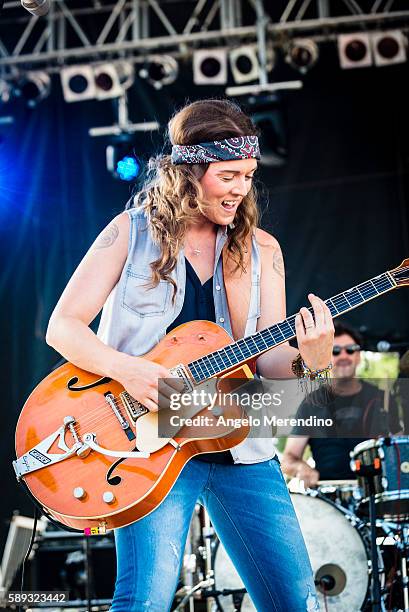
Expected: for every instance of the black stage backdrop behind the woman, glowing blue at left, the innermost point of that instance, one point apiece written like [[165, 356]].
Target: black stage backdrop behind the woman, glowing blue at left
[[338, 208]]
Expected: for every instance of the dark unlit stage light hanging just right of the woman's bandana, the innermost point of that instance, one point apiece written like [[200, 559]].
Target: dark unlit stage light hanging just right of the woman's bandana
[[267, 114]]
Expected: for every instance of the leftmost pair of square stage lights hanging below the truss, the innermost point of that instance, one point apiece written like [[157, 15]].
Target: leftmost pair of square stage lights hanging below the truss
[[98, 81]]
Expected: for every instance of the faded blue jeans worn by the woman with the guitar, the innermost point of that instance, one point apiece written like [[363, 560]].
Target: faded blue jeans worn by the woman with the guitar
[[252, 513]]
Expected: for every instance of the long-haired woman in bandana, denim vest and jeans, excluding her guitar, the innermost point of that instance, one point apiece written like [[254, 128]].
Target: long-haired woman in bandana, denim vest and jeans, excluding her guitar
[[163, 262]]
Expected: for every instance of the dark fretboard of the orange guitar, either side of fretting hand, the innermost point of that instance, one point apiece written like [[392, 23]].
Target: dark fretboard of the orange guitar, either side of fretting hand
[[255, 345]]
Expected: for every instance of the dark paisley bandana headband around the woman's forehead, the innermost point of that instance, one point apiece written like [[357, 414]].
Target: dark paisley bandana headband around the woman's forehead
[[243, 147]]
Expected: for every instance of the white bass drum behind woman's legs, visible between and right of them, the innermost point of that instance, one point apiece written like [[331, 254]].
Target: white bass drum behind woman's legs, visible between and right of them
[[339, 549]]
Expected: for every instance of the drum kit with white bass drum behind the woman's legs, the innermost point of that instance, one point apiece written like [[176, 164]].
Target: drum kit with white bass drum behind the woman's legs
[[356, 533]]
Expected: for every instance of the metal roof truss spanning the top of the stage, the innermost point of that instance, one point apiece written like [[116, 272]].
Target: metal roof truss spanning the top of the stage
[[84, 31]]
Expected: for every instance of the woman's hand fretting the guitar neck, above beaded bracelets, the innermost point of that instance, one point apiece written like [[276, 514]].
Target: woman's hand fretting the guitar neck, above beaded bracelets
[[315, 334]]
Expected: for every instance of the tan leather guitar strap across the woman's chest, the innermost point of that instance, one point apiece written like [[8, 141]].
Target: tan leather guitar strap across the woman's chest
[[237, 283]]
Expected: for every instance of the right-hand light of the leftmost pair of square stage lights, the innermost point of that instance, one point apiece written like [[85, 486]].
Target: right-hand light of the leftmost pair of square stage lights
[[112, 80]]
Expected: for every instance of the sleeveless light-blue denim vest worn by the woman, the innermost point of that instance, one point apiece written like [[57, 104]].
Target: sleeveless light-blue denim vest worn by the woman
[[135, 318]]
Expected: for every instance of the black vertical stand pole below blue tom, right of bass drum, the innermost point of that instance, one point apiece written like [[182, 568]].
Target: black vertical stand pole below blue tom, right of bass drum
[[368, 472]]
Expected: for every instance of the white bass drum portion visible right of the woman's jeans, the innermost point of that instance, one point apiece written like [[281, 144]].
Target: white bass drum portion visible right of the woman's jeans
[[339, 550]]
